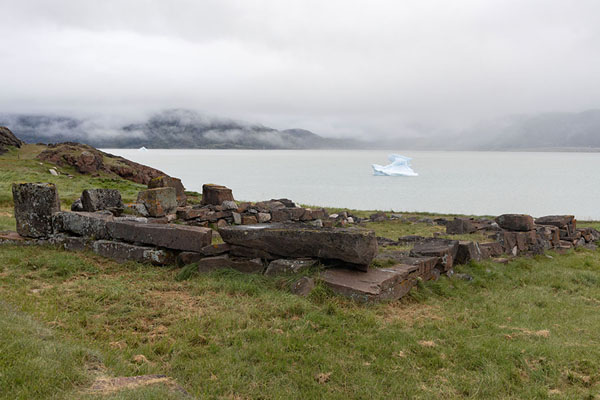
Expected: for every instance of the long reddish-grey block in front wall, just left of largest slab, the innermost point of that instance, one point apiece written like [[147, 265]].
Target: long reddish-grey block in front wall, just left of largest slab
[[170, 236]]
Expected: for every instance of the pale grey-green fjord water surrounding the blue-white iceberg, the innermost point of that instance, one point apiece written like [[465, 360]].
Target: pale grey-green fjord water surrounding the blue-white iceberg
[[477, 183]]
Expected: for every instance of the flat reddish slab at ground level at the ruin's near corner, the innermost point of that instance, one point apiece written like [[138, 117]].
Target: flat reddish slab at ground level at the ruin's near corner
[[377, 284]]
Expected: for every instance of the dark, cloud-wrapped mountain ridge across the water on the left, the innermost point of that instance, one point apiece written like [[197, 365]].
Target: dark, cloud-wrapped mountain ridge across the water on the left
[[176, 128]]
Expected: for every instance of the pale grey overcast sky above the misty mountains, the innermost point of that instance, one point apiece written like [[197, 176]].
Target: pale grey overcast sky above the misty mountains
[[370, 68]]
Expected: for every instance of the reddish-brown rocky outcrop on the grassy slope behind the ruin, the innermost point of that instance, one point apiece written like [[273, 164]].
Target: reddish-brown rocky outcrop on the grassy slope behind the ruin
[[88, 160]]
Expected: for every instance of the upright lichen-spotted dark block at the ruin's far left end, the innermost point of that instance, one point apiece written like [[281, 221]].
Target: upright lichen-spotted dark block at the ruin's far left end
[[34, 205]]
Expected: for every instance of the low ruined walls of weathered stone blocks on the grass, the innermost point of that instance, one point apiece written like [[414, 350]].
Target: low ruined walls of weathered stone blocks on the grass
[[274, 237]]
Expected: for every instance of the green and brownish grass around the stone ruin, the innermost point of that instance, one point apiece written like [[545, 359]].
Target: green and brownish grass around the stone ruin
[[525, 330]]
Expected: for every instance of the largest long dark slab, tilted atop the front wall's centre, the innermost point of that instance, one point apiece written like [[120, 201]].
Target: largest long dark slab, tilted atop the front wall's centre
[[352, 245]]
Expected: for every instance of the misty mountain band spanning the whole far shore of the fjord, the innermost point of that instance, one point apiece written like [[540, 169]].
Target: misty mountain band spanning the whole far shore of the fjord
[[178, 128]]
